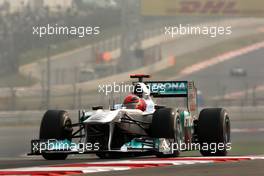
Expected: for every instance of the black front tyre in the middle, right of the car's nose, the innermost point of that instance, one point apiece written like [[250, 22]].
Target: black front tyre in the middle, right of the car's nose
[[166, 124]]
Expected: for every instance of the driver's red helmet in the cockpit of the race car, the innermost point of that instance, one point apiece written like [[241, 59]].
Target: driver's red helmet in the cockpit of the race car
[[134, 102]]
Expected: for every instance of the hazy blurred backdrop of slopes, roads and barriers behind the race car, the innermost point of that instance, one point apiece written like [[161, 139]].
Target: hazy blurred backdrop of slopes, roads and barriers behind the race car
[[64, 72]]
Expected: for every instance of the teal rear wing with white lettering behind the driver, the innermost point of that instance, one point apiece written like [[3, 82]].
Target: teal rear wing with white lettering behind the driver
[[175, 89]]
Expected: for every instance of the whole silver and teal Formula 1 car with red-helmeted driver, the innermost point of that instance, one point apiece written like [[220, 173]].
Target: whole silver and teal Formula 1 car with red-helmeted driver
[[137, 126]]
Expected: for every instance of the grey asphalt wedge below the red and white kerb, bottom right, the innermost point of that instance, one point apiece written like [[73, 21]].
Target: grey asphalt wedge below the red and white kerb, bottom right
[[242, 168]]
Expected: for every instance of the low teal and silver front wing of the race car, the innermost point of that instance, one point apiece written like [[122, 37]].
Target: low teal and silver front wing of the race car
[[151, 146]]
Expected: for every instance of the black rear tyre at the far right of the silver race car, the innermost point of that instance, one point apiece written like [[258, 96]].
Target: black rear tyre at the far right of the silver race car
[[214, 132]]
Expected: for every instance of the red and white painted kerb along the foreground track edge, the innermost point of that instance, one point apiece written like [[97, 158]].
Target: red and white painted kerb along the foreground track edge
[[121, 165]]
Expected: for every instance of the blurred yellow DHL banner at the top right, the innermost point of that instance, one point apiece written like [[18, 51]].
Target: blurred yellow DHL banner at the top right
[[202, 7]]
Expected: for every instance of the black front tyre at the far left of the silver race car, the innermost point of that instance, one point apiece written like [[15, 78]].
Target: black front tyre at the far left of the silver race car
[[55, 124]]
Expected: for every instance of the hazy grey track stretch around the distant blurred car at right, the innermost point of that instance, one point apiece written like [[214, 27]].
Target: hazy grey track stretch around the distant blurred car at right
[[216, 80]]
